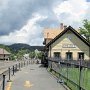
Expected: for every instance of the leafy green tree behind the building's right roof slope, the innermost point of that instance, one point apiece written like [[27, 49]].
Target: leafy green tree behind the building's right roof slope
[[85, 30]]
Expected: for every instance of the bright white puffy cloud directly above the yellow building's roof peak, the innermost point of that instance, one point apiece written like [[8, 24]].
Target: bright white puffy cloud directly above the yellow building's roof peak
[[71, 11]]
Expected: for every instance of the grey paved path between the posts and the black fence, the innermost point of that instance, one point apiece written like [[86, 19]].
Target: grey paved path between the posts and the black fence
[[33, 77]]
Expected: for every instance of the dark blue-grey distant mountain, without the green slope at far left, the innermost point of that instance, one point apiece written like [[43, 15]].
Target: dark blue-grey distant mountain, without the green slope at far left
[[18, 46]]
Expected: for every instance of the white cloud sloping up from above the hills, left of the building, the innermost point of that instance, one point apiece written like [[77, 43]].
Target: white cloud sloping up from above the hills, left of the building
[[27, 34]]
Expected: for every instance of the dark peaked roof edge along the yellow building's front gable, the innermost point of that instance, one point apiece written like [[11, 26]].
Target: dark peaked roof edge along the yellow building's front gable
[[69, 28]]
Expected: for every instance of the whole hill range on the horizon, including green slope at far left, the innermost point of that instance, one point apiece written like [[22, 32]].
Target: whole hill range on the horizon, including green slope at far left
[[14, 48]]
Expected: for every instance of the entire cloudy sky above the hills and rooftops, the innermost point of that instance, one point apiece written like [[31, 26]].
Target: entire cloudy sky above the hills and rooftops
[[23, 21]]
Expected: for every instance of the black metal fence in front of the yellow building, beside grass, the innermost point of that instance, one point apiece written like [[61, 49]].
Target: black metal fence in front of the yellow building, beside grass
[[74, 73]]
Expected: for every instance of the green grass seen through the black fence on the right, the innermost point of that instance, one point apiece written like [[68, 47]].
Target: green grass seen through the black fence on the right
[[73, 75]]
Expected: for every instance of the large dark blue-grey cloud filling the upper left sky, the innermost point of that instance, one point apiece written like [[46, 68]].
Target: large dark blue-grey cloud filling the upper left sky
[[17, 12]]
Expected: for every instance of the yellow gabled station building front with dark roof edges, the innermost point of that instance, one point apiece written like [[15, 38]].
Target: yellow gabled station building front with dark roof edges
[[68, 45]]
